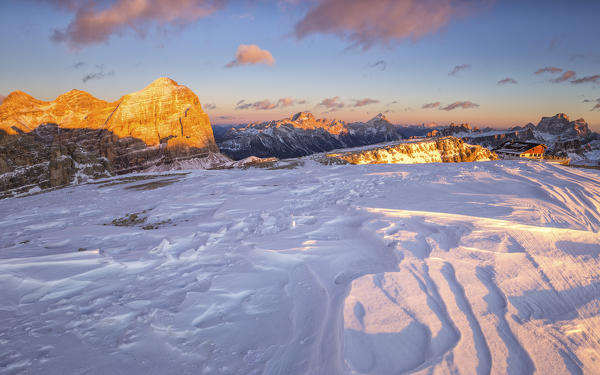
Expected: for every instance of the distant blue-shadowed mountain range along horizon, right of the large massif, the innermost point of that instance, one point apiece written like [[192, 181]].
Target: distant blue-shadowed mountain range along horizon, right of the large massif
[[302, 134]]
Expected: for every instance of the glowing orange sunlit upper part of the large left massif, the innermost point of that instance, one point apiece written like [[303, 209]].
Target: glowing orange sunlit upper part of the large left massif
[[163, 112]]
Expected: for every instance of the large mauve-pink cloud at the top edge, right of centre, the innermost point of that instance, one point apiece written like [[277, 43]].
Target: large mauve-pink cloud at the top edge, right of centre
[[366, 23]]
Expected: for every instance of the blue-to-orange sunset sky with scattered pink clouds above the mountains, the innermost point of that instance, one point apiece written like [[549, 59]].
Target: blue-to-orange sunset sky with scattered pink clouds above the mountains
[[488, 63]]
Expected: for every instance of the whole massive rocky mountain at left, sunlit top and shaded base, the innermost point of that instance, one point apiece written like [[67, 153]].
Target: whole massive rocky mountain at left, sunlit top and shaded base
[[48, 144]]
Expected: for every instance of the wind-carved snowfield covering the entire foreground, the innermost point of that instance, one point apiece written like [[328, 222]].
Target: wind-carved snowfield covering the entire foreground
[[464, 268]]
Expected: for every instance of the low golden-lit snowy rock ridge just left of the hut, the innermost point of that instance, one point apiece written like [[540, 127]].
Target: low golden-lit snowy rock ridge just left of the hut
[[441, 150]]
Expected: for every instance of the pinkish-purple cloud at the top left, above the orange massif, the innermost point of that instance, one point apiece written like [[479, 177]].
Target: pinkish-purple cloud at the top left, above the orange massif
[[93, 23]]
